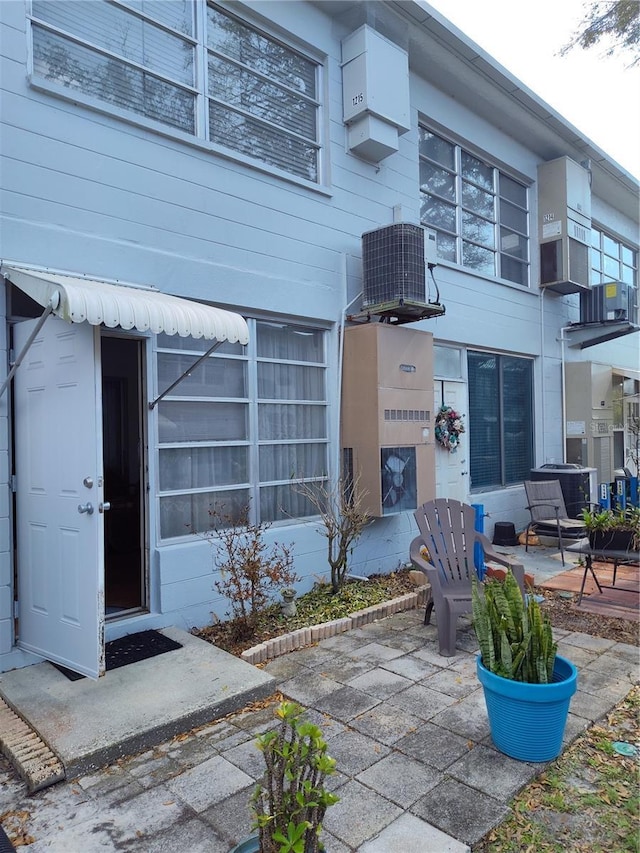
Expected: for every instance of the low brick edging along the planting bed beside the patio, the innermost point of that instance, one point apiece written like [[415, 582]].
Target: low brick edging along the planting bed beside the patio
[[277, 646]]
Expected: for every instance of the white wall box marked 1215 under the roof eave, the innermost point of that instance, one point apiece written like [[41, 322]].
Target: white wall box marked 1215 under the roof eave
[[375, 93]]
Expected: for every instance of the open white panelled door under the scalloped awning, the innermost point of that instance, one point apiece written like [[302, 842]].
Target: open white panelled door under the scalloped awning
[[59, 490]]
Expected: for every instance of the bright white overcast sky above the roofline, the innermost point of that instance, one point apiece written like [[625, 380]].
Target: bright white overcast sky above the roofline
[[595, 93]]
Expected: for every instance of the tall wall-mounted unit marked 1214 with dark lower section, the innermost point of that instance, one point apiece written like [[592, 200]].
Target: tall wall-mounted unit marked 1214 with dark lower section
[[564, 226]]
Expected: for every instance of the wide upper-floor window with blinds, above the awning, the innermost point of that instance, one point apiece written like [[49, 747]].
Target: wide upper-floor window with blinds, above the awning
[[254, 94]]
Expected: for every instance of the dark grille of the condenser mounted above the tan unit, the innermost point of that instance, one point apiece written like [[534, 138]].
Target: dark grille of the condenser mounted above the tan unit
[[393, 264]]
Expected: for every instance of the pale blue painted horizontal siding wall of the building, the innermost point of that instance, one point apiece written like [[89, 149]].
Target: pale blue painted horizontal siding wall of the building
[[85, 192]]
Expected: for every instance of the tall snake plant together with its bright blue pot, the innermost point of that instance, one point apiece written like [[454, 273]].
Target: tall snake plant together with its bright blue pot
[[527, 685]]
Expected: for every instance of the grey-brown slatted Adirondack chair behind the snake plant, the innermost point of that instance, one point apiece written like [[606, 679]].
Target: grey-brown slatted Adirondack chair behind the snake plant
[[445, 551]]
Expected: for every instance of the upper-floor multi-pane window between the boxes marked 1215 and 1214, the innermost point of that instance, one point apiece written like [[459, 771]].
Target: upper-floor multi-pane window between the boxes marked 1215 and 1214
[[479, 213]]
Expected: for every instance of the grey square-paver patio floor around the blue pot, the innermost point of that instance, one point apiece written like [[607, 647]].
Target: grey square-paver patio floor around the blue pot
[[408, 728]]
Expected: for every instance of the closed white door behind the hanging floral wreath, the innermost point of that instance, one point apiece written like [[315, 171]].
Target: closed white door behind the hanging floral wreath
[[452, 469]]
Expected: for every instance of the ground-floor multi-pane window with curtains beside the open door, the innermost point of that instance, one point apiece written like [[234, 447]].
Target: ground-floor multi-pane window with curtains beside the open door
[[244, 424]]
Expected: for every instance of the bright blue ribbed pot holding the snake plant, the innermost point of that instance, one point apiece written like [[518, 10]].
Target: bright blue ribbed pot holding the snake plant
[[527, 721]]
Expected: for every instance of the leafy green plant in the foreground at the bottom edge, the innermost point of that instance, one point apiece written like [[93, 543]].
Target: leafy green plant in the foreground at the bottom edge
[[290, 801]]
